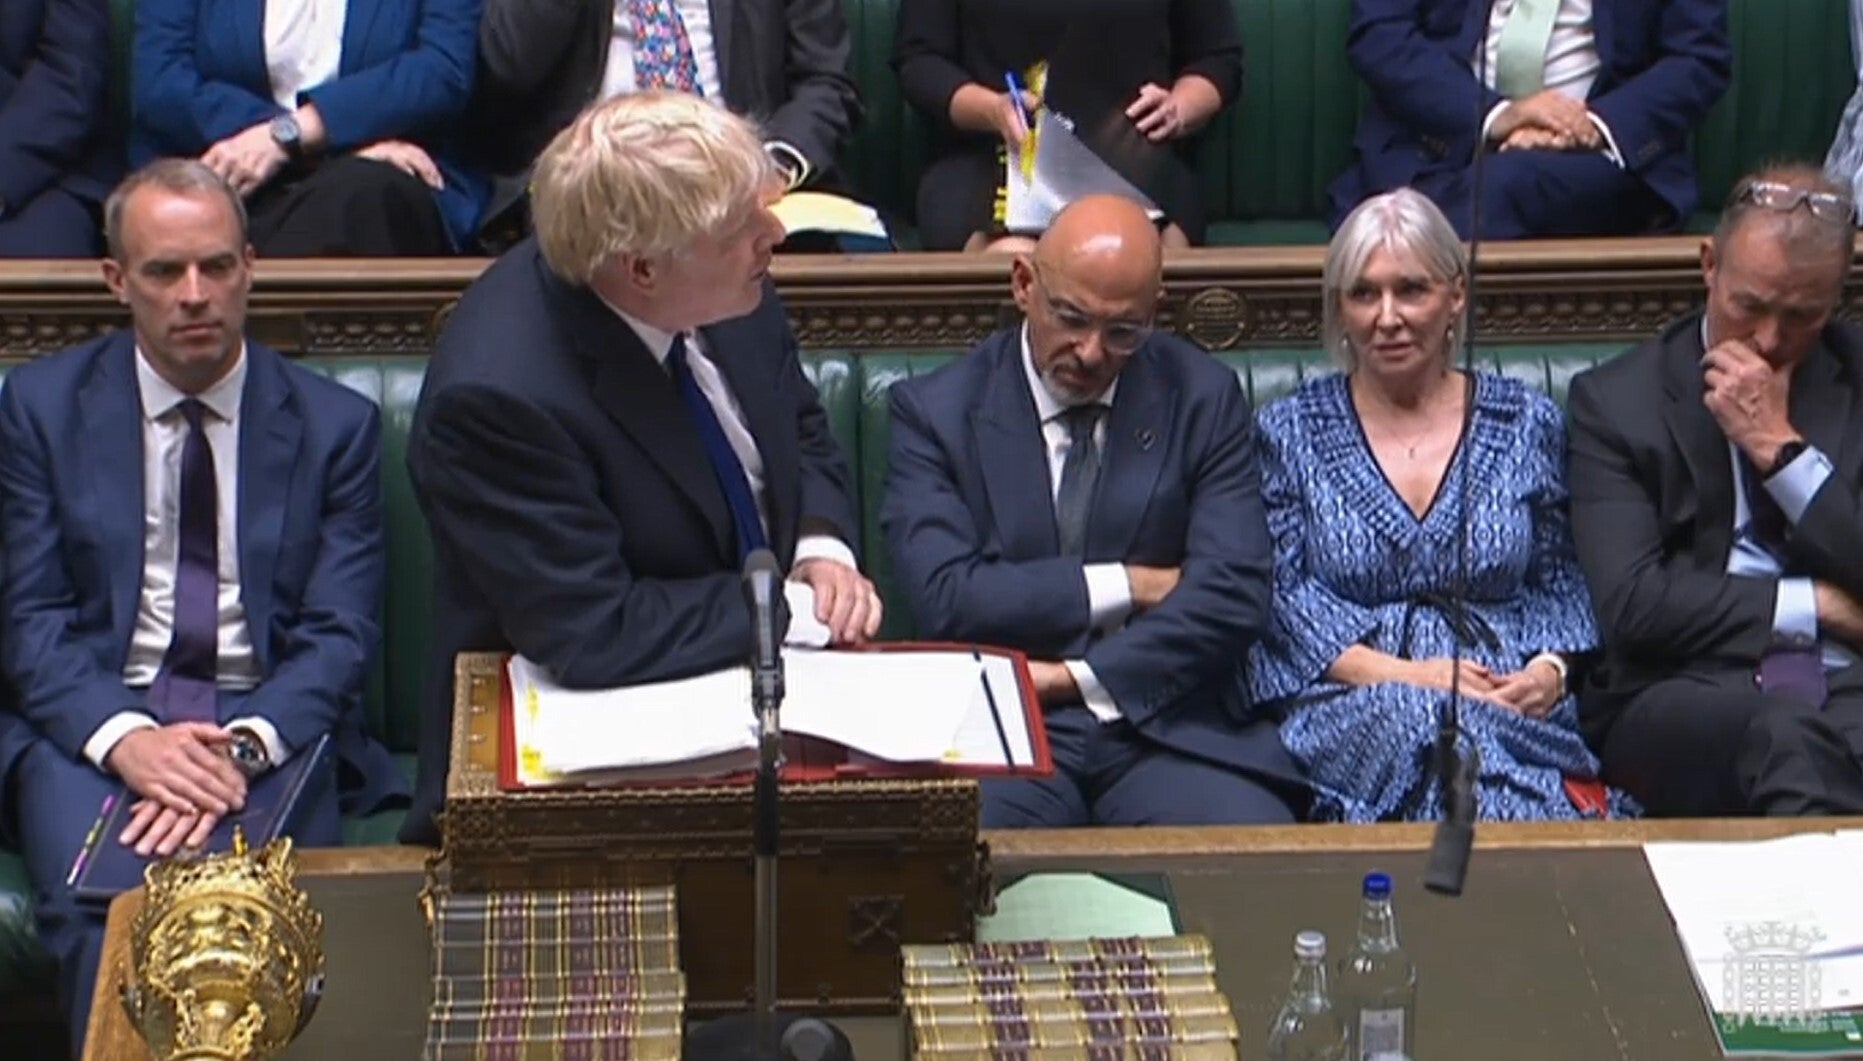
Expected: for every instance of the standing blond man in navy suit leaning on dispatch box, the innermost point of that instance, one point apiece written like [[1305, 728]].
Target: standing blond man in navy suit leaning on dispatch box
[[616, 418]]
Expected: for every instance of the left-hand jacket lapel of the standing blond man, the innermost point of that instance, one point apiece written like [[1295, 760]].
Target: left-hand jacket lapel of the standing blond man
[[644, 403]]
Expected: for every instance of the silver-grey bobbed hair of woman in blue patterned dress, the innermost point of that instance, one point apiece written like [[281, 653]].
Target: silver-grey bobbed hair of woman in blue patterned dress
[[1400, 222]]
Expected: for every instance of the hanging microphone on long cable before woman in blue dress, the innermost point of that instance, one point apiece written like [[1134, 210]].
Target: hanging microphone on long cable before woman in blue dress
[[1456, 768]]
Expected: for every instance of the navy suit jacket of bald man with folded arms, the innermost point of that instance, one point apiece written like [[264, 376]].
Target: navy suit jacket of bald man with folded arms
[[972, 530]]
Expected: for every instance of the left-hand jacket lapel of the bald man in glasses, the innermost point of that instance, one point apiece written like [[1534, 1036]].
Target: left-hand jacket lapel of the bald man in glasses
[[1014, 459]]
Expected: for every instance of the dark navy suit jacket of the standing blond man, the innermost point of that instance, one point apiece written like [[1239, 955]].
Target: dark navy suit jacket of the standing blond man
[[575, 513]]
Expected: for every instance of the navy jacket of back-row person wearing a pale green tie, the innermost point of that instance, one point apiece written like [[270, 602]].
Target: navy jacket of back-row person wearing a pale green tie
[[1666, 62]]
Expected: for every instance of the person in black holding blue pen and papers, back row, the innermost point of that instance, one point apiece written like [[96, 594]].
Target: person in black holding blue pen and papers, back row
[[953, 57]]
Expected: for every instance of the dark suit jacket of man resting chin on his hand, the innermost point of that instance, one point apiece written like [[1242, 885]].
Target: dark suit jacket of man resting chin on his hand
[[1653, 505]]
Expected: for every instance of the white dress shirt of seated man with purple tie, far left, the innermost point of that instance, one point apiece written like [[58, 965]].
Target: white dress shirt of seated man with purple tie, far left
[[163, 436]]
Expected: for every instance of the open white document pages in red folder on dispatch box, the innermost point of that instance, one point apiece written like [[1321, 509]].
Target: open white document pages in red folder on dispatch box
[[940, 710]]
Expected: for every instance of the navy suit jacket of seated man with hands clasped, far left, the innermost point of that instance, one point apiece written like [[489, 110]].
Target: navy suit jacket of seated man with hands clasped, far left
[[310, 541]]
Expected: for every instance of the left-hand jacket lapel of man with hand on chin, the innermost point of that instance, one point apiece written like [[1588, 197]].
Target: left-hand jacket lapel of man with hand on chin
[[1702, 444]]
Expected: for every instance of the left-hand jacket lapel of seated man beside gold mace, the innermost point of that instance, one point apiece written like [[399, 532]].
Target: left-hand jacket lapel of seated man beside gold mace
[[111, 442]]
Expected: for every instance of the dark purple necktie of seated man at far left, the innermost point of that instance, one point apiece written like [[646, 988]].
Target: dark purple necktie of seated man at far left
[[185, 688]]
